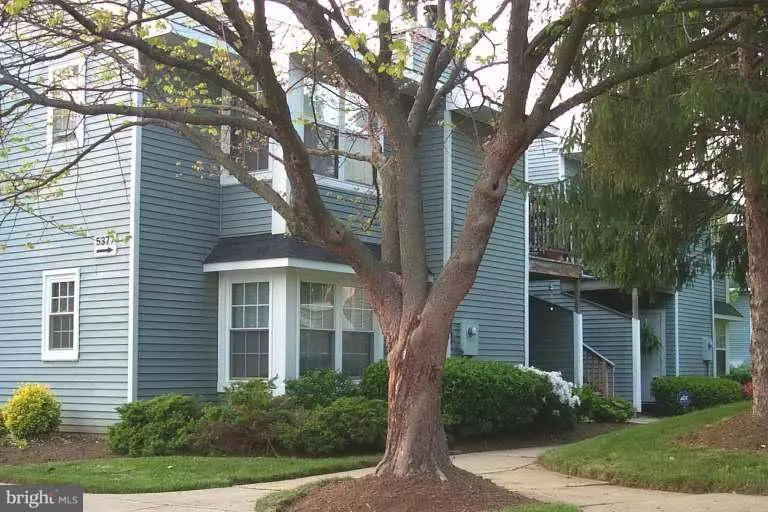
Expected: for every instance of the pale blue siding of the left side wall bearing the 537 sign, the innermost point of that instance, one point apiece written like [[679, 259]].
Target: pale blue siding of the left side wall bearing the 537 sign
[[95, 197]]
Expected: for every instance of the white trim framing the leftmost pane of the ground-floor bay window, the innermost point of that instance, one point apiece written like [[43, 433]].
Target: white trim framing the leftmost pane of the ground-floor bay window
[[226, 280]]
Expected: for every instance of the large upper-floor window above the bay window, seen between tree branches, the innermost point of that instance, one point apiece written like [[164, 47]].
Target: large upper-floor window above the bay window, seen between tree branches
[[337, 119]]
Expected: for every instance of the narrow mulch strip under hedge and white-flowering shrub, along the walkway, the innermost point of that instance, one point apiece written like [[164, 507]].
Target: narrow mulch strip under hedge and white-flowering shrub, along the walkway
[[532, 439]]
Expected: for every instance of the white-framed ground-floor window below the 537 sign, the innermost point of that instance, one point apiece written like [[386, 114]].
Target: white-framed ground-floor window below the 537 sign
[[61, 311]]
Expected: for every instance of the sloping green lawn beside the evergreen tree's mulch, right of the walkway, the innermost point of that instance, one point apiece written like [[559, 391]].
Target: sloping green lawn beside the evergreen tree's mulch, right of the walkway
[[649, 456]]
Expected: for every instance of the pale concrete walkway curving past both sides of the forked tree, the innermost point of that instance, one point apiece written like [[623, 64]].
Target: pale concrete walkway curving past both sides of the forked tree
[[514, 469]]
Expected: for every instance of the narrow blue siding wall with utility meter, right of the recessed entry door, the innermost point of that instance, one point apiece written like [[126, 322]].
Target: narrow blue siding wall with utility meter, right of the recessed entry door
[[695, 322]]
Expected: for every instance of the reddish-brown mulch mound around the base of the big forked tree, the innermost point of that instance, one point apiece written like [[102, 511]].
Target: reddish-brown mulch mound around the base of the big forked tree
[[463, 492]]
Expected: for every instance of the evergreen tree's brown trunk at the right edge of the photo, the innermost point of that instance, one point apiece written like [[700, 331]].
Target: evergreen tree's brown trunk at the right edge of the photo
[[756, 196]]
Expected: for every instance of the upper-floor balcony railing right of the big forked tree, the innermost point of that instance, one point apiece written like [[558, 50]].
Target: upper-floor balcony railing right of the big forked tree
[[551, 235]]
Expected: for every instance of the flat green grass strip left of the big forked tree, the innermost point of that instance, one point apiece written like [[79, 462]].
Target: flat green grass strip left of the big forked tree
[[158, 474]]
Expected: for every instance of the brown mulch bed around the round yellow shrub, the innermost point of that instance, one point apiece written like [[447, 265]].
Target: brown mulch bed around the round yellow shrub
[[59, 447]]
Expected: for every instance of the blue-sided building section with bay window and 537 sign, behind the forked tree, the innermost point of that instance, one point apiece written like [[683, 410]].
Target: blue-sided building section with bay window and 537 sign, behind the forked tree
[[209, 287]]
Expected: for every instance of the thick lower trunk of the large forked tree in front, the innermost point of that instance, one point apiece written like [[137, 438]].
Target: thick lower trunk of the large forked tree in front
[[416, 443]]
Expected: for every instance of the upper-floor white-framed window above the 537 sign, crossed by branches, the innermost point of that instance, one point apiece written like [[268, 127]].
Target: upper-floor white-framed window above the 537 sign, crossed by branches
[[67, 83]]
